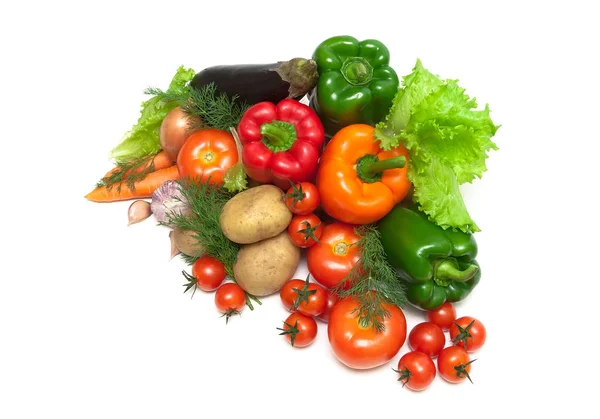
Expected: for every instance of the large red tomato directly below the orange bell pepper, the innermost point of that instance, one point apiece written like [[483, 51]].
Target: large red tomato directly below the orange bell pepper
[[330, 260]]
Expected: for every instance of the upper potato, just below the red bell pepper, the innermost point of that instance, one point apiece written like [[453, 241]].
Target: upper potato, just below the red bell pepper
[[255, 214]]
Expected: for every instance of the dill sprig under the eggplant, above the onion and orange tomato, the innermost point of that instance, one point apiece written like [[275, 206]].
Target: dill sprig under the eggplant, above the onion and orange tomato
[[205, 107]]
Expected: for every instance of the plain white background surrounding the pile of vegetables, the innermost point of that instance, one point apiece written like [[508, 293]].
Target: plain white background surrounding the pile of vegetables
[[93, 321]]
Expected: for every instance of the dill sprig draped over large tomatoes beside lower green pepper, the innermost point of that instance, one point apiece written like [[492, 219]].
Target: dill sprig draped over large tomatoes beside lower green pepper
[[372, 280]]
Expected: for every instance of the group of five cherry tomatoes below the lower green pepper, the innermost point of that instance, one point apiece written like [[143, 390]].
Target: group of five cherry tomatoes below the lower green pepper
[[427, 340]]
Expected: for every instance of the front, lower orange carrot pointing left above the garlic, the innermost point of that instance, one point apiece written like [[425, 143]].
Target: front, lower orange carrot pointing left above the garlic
[[143, 188]]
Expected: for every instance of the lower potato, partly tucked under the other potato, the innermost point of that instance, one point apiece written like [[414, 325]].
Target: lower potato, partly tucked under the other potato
[[263, 267]]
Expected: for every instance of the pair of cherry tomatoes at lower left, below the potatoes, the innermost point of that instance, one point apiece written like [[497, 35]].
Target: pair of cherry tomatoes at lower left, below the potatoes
[[208, 275]]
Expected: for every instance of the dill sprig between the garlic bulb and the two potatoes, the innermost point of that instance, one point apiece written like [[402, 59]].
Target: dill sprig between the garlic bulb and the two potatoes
[[206, 200]]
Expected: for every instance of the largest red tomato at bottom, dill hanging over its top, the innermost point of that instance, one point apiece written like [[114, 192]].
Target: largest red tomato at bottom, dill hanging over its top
[[361, 346]]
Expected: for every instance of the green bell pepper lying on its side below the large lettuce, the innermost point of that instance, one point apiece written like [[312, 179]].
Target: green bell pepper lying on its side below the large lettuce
[[436, 265]]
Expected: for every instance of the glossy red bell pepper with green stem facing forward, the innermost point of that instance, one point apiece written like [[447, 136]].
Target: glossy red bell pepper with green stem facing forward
[[281, 143]]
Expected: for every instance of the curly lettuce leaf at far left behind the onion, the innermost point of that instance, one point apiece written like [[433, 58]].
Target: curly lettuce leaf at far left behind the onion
[[144, 137]]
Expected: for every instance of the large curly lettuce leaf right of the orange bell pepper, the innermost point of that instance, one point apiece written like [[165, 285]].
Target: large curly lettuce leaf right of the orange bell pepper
[[447, 138]]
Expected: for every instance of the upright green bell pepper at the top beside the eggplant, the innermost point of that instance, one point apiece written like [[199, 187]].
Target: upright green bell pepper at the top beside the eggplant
[[356, 84]]
